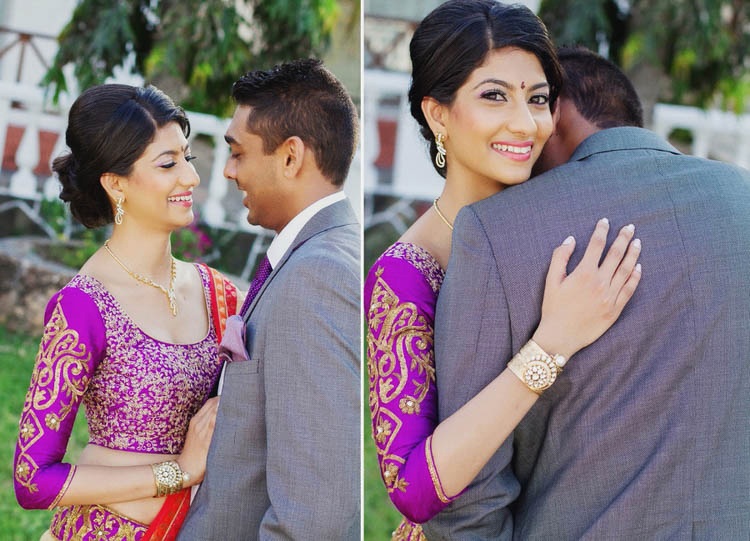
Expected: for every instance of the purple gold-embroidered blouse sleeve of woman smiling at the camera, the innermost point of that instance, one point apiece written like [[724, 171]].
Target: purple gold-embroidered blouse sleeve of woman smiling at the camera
[[400, 295]]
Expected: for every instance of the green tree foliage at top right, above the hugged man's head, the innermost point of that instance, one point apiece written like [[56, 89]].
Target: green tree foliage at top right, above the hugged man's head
[[691, 52]]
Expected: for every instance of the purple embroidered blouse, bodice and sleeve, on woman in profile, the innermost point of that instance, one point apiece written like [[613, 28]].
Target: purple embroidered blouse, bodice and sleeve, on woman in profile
[[139, 393]]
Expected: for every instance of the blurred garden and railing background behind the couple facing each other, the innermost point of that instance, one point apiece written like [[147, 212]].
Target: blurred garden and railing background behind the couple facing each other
[[194, 51]]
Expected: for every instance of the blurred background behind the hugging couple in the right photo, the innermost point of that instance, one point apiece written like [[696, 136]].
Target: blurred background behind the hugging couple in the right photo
[[688, 59]]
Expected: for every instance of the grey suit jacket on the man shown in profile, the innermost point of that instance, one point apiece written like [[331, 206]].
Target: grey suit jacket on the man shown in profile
[[285, 456]]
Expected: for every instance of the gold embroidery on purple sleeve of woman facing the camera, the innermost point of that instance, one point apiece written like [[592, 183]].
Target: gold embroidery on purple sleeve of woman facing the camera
[[399, 345]]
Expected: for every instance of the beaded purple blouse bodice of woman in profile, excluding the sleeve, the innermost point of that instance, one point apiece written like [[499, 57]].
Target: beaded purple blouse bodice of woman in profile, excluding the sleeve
[[144, 391]]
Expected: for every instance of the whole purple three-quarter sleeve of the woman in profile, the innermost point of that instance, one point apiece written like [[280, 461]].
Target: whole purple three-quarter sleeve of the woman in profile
[[71, 347]]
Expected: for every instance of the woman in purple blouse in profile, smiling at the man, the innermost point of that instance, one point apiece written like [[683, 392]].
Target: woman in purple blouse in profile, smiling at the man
[[131, 336]]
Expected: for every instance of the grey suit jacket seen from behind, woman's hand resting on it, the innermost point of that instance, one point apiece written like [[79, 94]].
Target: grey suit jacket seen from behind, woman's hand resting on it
[[647, 433]]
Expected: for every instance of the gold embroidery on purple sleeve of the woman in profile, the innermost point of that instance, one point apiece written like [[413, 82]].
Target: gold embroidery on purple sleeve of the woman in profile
[[58, 378]]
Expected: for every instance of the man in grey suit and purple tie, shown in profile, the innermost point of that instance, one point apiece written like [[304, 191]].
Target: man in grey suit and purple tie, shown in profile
[[284, 458]]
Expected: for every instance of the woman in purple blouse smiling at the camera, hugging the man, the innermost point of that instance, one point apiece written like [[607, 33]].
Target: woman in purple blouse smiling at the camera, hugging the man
[[485, 77]]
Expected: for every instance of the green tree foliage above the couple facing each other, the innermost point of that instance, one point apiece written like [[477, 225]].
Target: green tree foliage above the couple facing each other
[[197, 48]]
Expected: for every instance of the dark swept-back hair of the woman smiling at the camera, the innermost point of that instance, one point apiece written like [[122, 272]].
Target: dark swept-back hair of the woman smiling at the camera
[[454, 40]]
